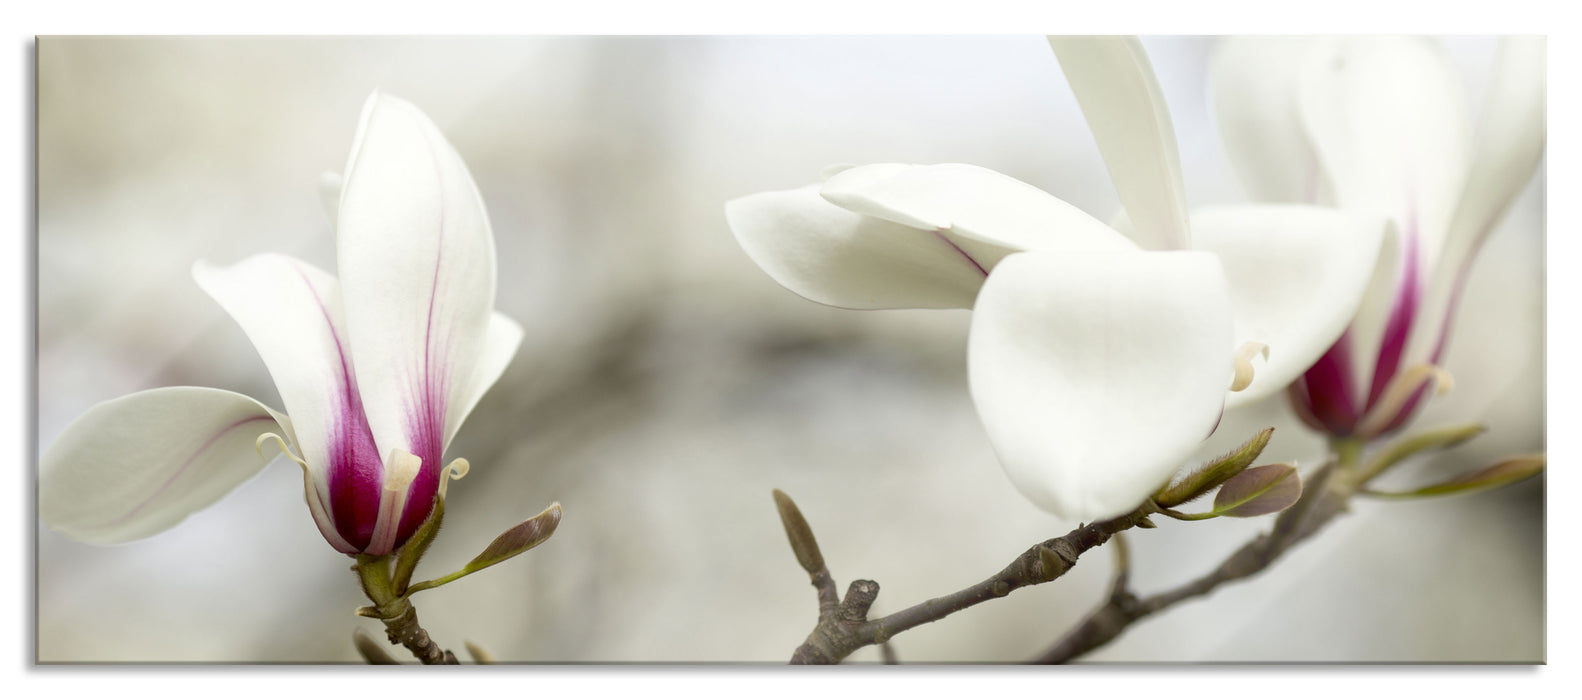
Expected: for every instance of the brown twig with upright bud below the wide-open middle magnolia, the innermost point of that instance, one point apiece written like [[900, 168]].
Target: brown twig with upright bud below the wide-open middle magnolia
[[844, 626]]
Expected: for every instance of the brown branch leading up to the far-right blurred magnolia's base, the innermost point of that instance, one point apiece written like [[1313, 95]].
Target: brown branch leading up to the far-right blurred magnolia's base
[[1325, 498]]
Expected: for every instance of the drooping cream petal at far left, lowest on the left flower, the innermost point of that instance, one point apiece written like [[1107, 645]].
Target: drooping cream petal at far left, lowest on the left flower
[[140, 465]]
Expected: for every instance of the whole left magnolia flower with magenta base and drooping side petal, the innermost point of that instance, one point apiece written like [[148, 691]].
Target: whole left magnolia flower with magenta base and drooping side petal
[[377, 368]]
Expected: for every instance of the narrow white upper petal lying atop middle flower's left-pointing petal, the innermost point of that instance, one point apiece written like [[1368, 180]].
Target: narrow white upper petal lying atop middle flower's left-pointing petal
[[972, 205]]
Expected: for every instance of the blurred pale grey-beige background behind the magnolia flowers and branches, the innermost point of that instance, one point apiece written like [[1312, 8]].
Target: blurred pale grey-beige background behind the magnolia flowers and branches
[[667, 386]]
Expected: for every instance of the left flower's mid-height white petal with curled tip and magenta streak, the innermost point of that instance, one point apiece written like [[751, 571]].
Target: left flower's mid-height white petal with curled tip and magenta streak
[[292, 314]]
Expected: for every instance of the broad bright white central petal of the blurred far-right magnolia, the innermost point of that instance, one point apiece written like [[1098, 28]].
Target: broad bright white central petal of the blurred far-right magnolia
[[1388, 121]]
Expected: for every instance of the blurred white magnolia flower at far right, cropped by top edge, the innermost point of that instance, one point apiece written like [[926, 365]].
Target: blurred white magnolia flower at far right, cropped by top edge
[[1380, 126]]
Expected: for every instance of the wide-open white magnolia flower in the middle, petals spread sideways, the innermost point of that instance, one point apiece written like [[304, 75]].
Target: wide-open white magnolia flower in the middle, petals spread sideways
[[1097, 362]]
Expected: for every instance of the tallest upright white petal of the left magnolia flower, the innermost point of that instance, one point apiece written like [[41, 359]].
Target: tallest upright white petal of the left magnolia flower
[[418, 276]]
